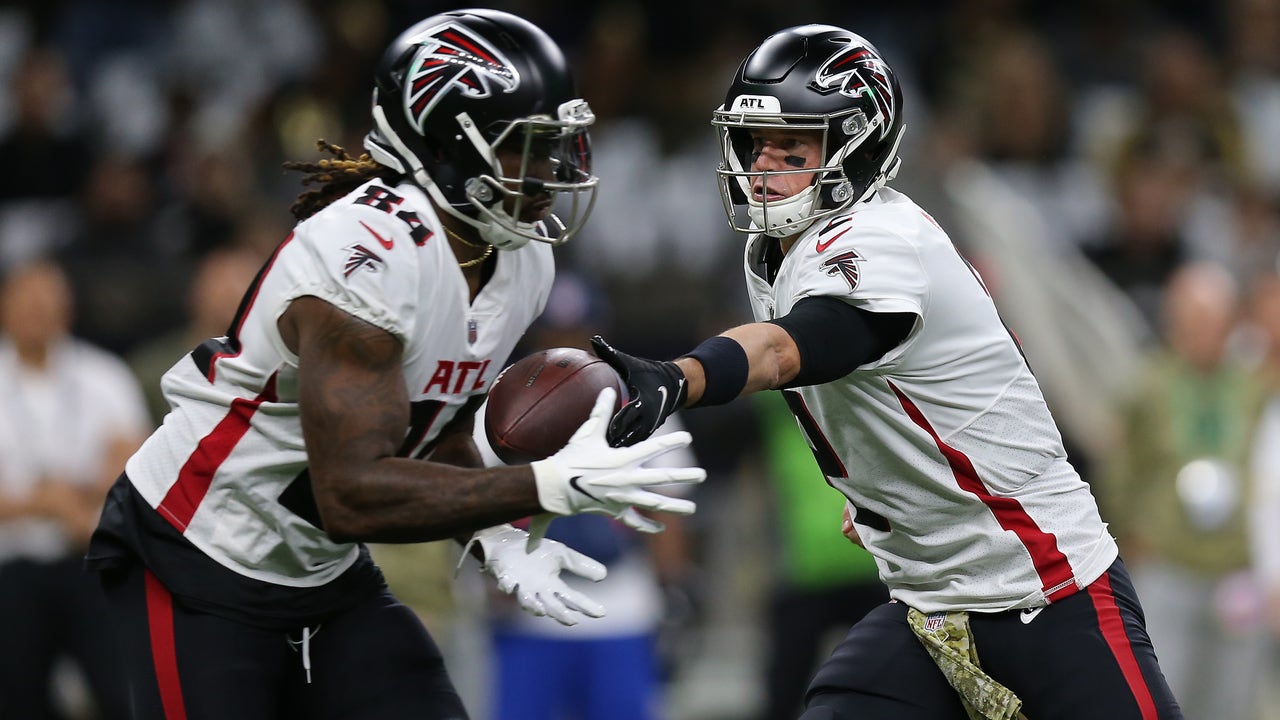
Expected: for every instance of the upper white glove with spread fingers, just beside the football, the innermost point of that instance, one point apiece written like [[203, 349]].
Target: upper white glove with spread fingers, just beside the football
[[589, 476]]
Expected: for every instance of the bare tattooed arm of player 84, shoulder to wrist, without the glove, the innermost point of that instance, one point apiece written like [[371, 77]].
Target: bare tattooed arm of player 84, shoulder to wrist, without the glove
[[355, 412]]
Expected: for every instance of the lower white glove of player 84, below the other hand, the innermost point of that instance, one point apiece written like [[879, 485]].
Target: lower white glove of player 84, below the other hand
[[533, 576]]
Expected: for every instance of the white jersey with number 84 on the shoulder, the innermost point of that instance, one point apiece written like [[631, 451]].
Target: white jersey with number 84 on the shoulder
[[228, 466]]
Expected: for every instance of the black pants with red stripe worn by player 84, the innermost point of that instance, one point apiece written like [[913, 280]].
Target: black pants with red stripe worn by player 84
[[372, 662]]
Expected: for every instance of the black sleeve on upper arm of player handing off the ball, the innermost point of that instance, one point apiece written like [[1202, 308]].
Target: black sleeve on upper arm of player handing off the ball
[[835, 338]]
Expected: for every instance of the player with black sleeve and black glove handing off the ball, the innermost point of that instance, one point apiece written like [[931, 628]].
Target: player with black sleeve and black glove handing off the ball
[[920, 408]]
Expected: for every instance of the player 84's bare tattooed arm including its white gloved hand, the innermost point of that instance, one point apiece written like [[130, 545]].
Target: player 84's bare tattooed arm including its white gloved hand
[[355, 412]]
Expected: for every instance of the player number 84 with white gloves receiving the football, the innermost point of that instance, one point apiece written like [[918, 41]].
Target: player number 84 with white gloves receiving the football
[[340, 408]]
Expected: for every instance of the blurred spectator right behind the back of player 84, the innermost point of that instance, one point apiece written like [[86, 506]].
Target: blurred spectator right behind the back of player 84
[[216, 293]]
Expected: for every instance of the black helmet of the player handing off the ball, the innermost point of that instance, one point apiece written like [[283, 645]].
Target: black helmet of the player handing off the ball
[[811, 78]]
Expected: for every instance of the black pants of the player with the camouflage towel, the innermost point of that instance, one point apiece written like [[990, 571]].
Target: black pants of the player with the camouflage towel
[[1084, 658]]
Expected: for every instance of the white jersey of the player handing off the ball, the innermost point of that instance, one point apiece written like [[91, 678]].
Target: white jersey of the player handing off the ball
[[945, 446]]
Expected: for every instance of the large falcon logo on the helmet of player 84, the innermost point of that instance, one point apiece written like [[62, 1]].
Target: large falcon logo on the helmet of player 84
[[454, 60]]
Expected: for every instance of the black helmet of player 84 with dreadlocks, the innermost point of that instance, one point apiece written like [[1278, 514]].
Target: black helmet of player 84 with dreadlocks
[[455, 88]]
